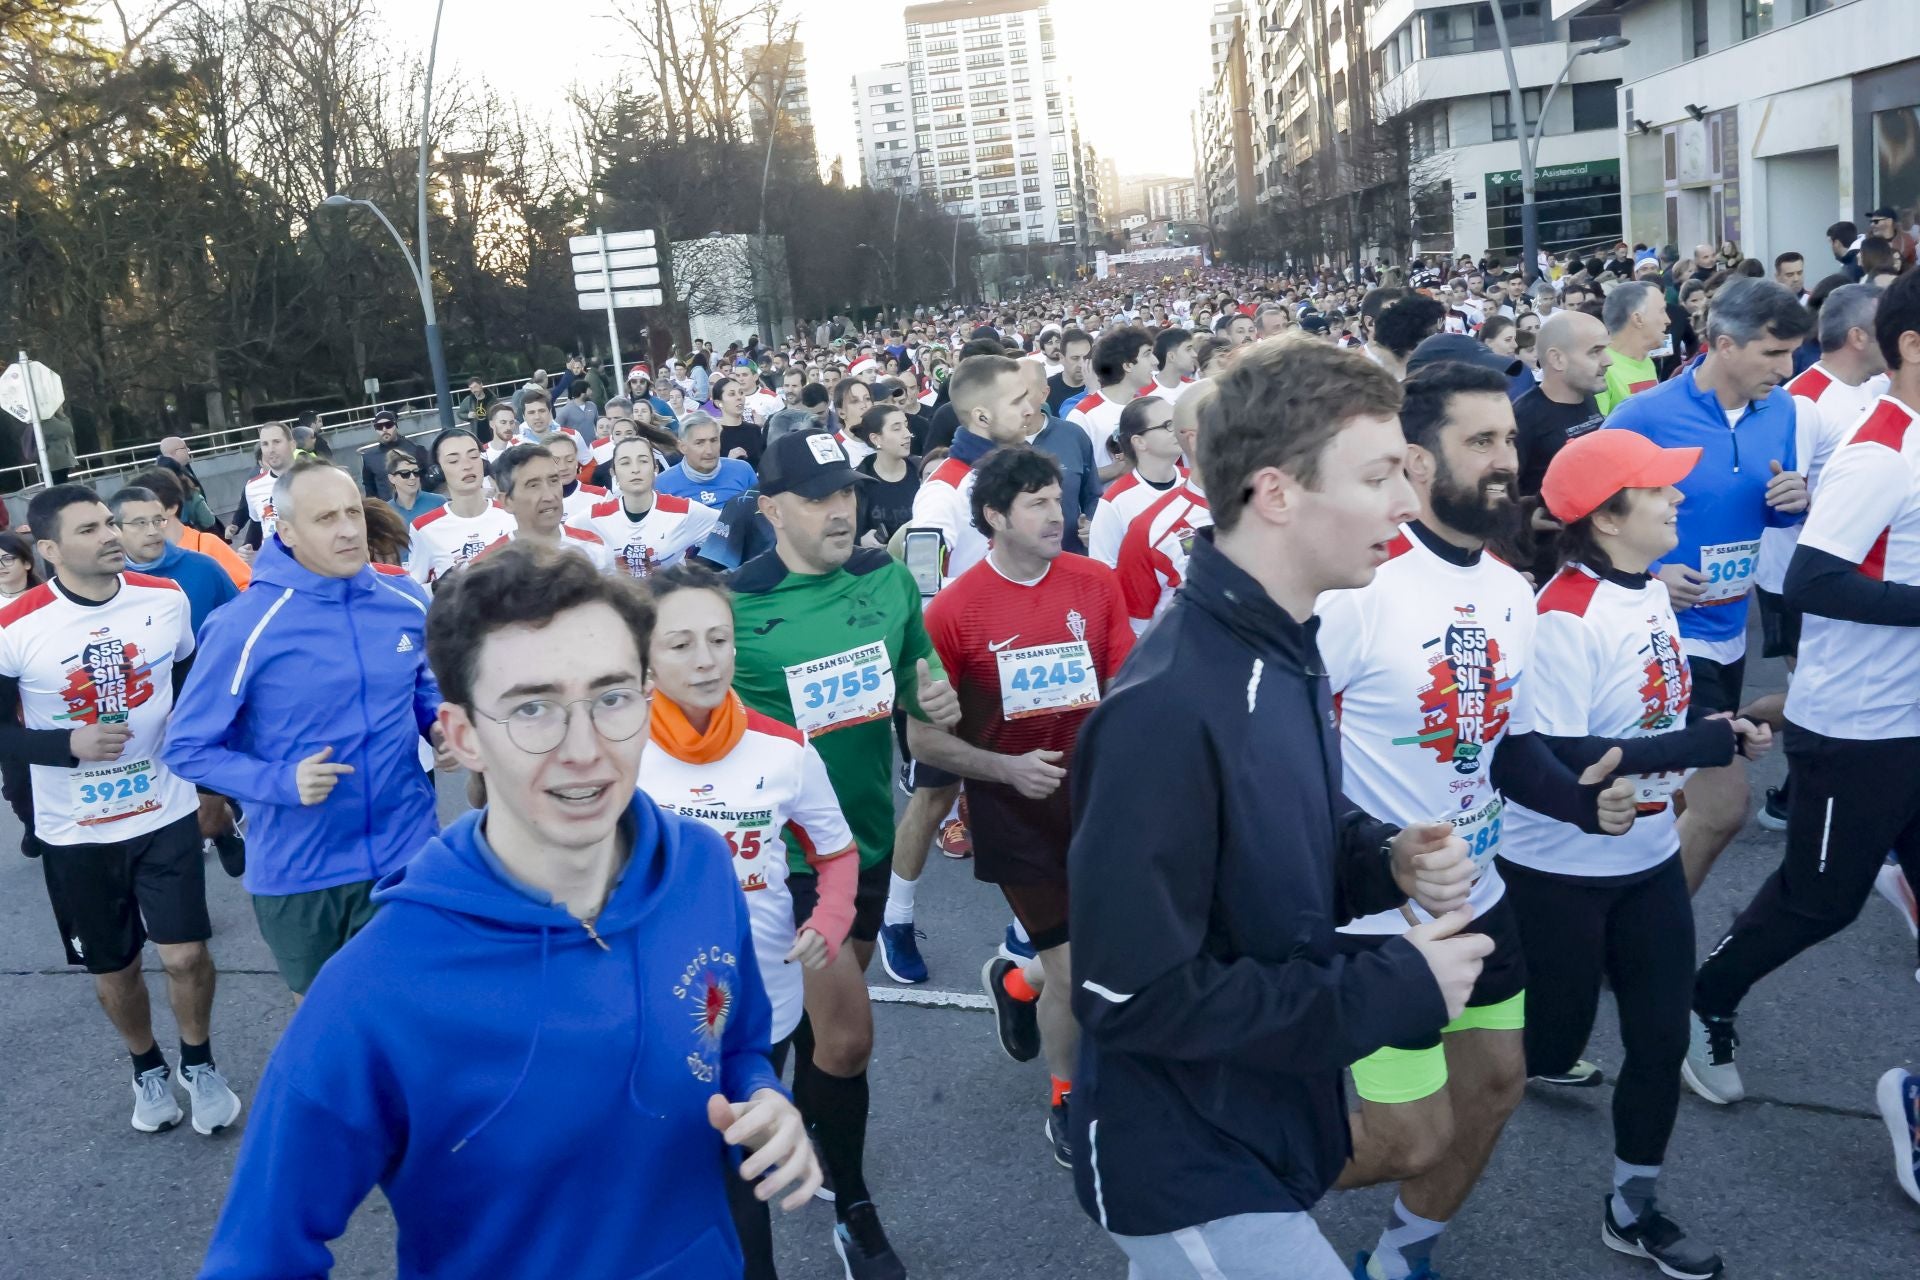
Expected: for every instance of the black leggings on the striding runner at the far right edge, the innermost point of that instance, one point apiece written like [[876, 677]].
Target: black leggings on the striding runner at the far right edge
[[1852, 801]]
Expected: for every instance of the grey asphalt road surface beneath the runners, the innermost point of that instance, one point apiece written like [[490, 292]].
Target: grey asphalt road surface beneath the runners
[[1796, 1183]]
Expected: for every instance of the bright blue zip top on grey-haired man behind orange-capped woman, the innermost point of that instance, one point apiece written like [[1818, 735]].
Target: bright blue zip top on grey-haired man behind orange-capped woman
[[1727, 490]]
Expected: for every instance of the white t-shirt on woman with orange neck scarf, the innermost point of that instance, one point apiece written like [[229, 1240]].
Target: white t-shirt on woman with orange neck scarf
[[769, 786]]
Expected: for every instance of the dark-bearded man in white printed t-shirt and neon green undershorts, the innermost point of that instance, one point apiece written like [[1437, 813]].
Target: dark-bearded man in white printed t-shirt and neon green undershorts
[[1428, 667]]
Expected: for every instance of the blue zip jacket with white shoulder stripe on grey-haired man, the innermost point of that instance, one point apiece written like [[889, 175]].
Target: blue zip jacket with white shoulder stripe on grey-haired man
[[295, 665]]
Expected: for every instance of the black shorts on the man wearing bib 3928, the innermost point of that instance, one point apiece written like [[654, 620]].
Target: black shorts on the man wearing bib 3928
[[110, 899]]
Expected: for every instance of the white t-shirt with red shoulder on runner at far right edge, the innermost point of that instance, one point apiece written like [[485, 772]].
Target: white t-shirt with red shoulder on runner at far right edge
[[1858, 680]]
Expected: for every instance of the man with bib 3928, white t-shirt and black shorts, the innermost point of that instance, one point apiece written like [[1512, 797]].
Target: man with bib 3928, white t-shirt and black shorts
[[89, 669]]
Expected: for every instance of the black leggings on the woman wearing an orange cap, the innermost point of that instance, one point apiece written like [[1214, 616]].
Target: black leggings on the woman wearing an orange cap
[[1641, 936]]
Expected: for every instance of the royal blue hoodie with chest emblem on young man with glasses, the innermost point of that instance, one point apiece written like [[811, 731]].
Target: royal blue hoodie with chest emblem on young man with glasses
[[531, 1101]]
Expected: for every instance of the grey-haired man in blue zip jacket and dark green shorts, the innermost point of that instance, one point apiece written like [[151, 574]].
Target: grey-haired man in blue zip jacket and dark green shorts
[[310, 701]]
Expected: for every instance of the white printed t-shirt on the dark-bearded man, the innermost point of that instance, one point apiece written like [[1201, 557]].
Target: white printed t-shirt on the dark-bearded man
[[1426, 667]]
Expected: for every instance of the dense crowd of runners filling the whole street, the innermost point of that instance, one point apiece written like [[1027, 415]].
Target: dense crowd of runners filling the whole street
[[1424, 602]]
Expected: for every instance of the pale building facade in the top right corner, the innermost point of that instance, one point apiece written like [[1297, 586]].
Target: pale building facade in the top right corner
[[1765, 122]]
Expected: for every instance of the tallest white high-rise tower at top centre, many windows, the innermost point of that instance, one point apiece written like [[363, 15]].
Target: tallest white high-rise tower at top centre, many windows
[[994, 128]]
